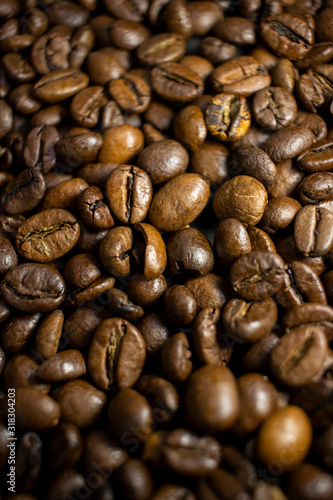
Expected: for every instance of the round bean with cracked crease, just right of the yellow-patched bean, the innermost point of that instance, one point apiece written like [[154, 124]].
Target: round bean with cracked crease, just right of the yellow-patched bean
[[274, 108]]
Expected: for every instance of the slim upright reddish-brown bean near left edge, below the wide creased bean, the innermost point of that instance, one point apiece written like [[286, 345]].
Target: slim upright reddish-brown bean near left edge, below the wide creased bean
[[49, 333]]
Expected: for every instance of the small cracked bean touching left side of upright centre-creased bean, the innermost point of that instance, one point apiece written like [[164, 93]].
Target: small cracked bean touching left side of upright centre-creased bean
[[94, 212]]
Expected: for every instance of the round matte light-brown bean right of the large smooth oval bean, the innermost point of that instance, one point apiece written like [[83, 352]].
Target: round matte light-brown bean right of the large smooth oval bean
[[243, 198]]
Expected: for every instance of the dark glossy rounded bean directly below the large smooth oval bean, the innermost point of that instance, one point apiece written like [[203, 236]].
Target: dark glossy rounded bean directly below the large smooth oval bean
[[189, 250]]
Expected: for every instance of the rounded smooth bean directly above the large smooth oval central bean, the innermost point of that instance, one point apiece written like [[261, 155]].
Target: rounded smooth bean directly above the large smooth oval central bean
[[164, 160]]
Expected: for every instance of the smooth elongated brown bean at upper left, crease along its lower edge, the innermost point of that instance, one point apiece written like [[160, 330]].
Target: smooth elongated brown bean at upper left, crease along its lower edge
[[60, 84]]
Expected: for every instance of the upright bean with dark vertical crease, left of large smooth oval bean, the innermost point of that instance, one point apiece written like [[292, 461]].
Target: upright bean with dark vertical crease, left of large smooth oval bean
[[129, 193]]
